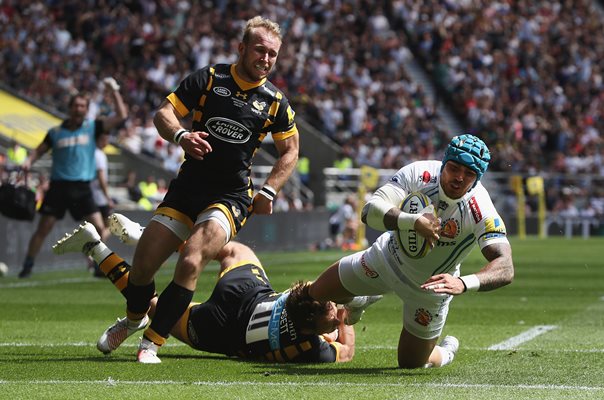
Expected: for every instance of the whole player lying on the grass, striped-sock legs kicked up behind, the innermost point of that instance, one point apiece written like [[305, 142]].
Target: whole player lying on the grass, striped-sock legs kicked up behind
[[244, 316]]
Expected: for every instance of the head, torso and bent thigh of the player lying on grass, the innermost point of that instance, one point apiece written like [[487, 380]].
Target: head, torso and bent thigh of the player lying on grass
[[245, 317]]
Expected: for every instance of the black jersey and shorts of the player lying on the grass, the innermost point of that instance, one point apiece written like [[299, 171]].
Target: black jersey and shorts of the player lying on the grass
[[245, 317]]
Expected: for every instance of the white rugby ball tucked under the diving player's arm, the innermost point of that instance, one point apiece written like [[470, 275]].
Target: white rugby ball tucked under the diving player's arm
[[413, 244]]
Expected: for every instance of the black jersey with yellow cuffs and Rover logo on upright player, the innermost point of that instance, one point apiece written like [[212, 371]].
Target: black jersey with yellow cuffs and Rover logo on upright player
[[237, 115]]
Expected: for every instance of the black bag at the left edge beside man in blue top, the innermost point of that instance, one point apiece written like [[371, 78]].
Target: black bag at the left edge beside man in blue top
[[17, 201]]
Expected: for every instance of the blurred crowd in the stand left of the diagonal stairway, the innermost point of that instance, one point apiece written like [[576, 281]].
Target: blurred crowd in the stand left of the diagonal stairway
[[341, 65]]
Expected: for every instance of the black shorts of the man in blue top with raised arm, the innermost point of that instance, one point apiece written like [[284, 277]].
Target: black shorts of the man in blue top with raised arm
[[67, 195]]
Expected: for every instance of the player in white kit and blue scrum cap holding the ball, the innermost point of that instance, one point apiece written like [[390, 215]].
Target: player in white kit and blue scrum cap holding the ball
[[465, 217]]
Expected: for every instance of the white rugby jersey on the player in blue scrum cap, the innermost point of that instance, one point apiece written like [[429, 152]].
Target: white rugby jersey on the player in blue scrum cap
[[466, 222]]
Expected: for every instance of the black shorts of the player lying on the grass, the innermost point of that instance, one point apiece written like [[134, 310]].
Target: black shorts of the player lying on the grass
[[217, 326]]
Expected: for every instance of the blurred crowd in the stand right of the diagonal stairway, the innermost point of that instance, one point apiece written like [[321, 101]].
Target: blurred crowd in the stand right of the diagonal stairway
[[528, 75]]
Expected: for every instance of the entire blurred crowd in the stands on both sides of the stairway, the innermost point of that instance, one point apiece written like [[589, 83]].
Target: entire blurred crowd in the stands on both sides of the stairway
[[527, 76]]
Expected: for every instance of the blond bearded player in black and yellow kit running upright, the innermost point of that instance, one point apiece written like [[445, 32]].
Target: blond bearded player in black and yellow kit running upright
[[233, 108]]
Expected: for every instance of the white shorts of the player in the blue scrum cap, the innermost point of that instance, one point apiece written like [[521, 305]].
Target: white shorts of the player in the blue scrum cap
[[424, 313]]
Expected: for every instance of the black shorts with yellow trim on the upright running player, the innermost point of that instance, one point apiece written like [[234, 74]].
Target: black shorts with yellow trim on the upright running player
[[192, 201]]
